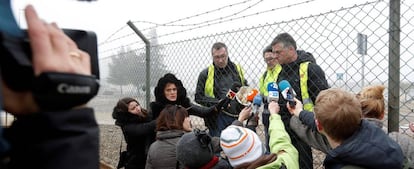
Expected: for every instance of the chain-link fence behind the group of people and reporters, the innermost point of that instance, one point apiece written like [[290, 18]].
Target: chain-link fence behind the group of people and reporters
[[331, 37]]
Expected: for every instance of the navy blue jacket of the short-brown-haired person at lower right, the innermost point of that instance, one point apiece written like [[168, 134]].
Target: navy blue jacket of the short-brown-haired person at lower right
[[368, 147]]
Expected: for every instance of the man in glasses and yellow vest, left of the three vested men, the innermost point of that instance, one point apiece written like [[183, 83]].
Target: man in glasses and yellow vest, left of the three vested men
[[213, 84]]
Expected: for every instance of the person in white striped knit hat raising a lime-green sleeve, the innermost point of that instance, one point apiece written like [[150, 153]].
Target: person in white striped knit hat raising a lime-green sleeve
[[244, 149]]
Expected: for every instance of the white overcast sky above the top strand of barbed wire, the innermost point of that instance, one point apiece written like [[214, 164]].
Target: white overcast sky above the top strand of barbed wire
[[106, 17]]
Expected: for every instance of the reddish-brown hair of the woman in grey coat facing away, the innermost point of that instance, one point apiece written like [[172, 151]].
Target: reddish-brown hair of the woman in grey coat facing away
[[171, 118]]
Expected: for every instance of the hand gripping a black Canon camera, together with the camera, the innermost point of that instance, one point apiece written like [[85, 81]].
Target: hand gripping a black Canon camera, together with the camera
[[53, 73]]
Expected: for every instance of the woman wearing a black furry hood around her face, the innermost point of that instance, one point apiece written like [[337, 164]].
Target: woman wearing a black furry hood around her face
[[170, 90]]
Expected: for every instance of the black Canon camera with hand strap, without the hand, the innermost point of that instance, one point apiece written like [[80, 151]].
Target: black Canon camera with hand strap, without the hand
[[52, 90]]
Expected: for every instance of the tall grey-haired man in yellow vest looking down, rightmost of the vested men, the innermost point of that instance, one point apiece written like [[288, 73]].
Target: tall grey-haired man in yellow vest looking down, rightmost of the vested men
[[306, 78]]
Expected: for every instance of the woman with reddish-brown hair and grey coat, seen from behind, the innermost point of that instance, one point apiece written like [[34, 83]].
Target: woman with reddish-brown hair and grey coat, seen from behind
[[172, 123]]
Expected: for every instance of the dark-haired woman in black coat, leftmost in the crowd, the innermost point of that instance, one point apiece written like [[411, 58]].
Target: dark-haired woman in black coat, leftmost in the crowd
[[138, 128]]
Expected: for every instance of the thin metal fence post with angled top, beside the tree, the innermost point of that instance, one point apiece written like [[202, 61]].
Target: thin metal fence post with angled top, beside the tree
[[147, 61]]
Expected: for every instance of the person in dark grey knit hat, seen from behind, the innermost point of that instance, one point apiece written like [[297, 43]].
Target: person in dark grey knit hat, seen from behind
[[197, 150]]
